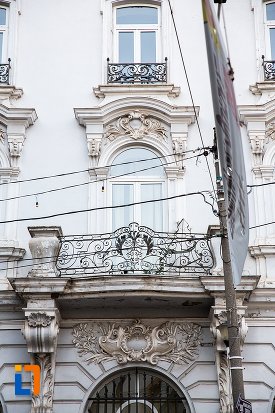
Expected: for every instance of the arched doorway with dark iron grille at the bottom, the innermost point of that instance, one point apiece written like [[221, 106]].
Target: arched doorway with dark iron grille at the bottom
[[137, 391]]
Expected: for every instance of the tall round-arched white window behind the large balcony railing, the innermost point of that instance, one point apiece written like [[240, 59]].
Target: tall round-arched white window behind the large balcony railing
[[137, 175]]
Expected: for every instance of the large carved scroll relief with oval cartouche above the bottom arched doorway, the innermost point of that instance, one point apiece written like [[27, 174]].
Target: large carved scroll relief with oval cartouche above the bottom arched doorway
[[170, 341]]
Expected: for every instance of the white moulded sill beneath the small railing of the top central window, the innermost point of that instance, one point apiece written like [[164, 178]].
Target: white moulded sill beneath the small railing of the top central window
[[169, 90]]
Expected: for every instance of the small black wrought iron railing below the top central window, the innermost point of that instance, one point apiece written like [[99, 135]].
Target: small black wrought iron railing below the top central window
[[137, 72]]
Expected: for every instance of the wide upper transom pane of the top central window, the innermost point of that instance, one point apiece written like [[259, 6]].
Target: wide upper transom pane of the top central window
[[137, 15]]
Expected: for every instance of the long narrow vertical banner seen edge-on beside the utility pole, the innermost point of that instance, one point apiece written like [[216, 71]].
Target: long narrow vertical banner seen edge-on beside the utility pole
[[229, 142]]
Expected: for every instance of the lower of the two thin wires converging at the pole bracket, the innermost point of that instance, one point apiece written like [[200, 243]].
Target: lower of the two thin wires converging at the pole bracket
[[94, 181]]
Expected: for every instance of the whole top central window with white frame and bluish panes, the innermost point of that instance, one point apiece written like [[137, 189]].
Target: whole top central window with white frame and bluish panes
[[137, 34]]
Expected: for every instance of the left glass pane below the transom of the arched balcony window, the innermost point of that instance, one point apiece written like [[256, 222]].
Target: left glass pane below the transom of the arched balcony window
[[122, 194]]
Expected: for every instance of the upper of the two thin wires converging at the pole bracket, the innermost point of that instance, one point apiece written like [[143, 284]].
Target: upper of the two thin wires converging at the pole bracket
[[99, 167]]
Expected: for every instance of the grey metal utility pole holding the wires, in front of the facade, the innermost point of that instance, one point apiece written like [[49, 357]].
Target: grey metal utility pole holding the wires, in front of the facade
[[230, 295]]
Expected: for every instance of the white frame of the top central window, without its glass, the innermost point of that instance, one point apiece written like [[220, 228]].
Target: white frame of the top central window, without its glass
[[136, 29]]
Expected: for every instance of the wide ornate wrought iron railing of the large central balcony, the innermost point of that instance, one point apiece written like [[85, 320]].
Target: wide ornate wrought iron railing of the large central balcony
[[134, 250]]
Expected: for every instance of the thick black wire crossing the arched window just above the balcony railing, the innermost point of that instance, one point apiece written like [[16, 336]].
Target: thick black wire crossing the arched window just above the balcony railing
[[103, 208]]
